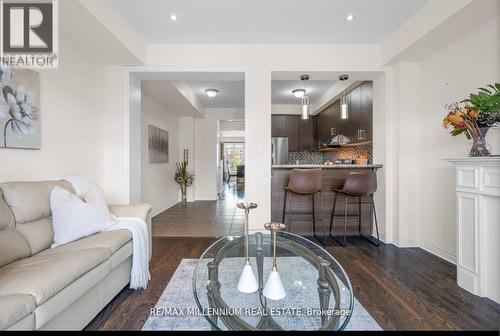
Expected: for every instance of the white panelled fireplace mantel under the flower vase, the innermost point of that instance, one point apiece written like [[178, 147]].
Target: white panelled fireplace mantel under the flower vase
[[478, 225]]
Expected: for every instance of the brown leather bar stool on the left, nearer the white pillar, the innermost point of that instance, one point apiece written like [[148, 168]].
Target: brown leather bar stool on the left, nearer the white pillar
[[306, 182]]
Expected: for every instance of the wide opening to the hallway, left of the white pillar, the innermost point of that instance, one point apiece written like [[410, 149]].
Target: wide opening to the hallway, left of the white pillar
[[198, 113]]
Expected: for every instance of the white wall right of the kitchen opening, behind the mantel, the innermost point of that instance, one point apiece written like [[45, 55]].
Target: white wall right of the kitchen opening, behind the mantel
[[416, 183]]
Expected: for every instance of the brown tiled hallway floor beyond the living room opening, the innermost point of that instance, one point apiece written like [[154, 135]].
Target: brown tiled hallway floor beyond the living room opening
[[204, 218]]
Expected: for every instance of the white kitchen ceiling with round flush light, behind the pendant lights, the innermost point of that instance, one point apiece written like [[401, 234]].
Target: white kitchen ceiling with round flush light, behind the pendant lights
[[282, 90]]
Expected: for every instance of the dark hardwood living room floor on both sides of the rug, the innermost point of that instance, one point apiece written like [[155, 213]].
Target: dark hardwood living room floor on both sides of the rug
[[401, 288]]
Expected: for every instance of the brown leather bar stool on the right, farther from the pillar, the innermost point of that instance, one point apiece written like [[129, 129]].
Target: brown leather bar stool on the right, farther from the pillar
[[357, 185]]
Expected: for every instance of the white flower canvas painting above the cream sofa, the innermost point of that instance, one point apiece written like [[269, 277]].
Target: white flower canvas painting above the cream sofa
[[19, 108]]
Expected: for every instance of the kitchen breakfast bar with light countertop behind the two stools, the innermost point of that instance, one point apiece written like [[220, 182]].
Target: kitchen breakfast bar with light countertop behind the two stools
[[334, 176]]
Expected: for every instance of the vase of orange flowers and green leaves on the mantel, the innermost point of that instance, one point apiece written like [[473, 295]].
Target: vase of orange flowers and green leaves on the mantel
[[474, 117]]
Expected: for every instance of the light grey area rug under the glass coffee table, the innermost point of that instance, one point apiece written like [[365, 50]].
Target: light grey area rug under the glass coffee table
[[178, 299]]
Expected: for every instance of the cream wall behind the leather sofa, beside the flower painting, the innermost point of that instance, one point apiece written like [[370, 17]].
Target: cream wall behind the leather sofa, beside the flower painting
[[72, 124]]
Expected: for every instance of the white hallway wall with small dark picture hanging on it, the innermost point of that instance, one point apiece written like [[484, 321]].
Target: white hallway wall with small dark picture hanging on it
[[158, 186]]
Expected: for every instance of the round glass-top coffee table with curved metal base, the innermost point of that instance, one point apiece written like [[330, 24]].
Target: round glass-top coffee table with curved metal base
[[318, 292]]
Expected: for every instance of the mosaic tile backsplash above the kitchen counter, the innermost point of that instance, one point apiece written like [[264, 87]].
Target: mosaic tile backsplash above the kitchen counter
[[353, 153]]
